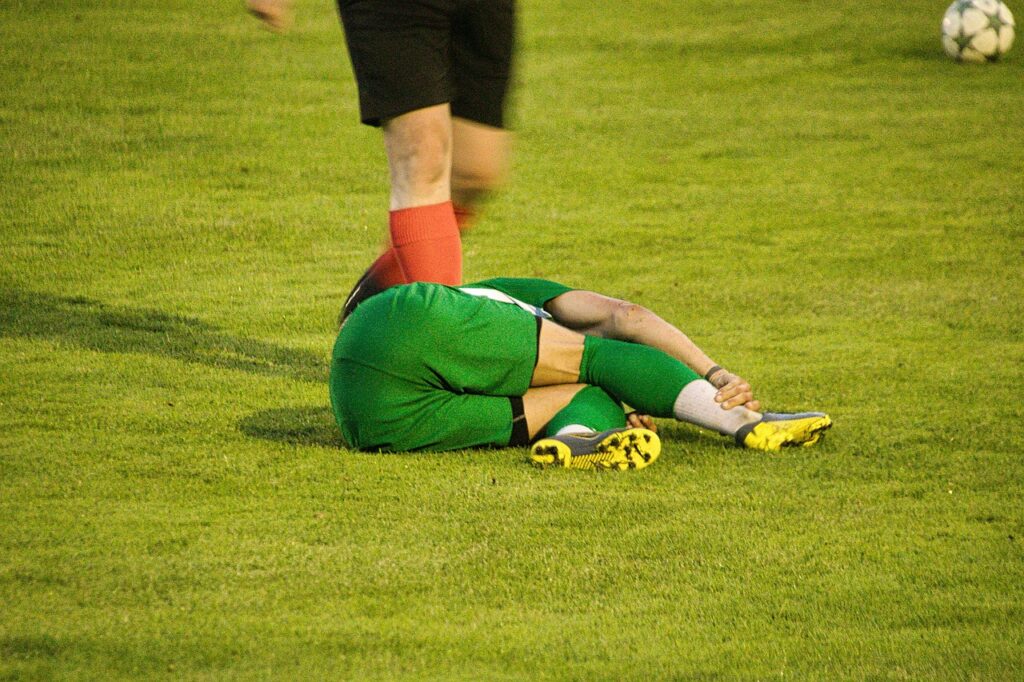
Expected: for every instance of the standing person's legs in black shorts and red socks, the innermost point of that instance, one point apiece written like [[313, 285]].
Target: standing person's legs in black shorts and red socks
[[441, 72]]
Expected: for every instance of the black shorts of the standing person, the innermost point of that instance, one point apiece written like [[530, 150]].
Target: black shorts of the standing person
[[409, 55]]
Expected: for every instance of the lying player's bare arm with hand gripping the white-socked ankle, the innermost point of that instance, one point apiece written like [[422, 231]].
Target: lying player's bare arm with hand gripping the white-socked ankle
[[596, 315]]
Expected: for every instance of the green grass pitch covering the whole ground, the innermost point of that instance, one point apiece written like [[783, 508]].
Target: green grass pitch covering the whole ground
[[813, 191]]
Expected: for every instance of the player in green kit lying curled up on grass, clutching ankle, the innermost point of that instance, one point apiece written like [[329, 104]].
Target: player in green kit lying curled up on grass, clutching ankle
[[510, 362]]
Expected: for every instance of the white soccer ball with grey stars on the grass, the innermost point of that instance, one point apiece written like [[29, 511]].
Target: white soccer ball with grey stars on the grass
[[977, 30]]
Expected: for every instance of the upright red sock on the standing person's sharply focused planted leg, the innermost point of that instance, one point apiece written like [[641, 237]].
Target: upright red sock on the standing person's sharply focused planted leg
[[426, 244]]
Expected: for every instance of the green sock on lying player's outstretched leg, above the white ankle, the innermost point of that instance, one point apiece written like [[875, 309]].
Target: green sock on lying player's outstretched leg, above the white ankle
[[645, 378]]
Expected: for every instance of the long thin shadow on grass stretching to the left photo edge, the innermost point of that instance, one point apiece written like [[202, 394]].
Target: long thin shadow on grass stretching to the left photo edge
[[97, 326]]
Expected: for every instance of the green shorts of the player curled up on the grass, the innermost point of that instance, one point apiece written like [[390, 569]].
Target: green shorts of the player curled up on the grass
[[429, 367]]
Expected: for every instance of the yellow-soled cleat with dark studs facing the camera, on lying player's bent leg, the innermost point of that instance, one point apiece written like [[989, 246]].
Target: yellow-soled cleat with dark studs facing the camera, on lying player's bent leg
[[616, 450]]
